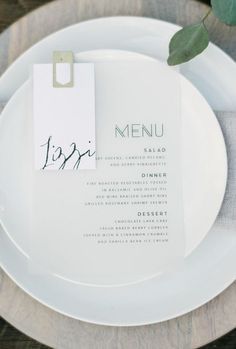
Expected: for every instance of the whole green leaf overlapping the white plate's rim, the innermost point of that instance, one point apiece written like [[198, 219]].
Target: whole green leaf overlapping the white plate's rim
[[188, 43]]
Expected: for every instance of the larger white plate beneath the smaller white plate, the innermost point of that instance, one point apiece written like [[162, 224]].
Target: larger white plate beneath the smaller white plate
[[210, 268]]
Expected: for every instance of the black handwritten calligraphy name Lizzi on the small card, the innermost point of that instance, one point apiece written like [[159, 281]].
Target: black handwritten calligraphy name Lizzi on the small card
[[55, 155]]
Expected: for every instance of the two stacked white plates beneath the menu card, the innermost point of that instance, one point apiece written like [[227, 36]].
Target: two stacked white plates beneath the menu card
[[209, 261]]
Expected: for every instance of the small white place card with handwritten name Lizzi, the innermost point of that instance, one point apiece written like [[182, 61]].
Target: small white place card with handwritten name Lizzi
[[64, 118]]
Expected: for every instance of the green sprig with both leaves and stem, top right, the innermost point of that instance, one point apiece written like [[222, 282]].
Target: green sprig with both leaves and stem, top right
[[192, 40]]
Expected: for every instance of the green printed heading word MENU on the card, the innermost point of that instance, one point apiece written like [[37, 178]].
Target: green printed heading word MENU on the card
[[139, 130]]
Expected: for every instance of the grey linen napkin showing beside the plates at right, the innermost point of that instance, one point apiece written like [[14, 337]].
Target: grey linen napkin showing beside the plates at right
[[227, 215]]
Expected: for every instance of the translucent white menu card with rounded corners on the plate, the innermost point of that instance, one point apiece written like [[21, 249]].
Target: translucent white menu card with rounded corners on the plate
[[123, 221]]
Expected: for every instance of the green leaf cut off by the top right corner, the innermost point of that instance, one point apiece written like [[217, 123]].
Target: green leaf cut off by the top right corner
[[225, 10]]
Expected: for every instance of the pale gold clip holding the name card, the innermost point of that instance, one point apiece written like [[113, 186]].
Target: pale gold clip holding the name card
[[63, 70]]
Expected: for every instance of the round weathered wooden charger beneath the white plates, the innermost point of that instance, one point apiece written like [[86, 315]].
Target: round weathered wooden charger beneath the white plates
[[189, 331]]
